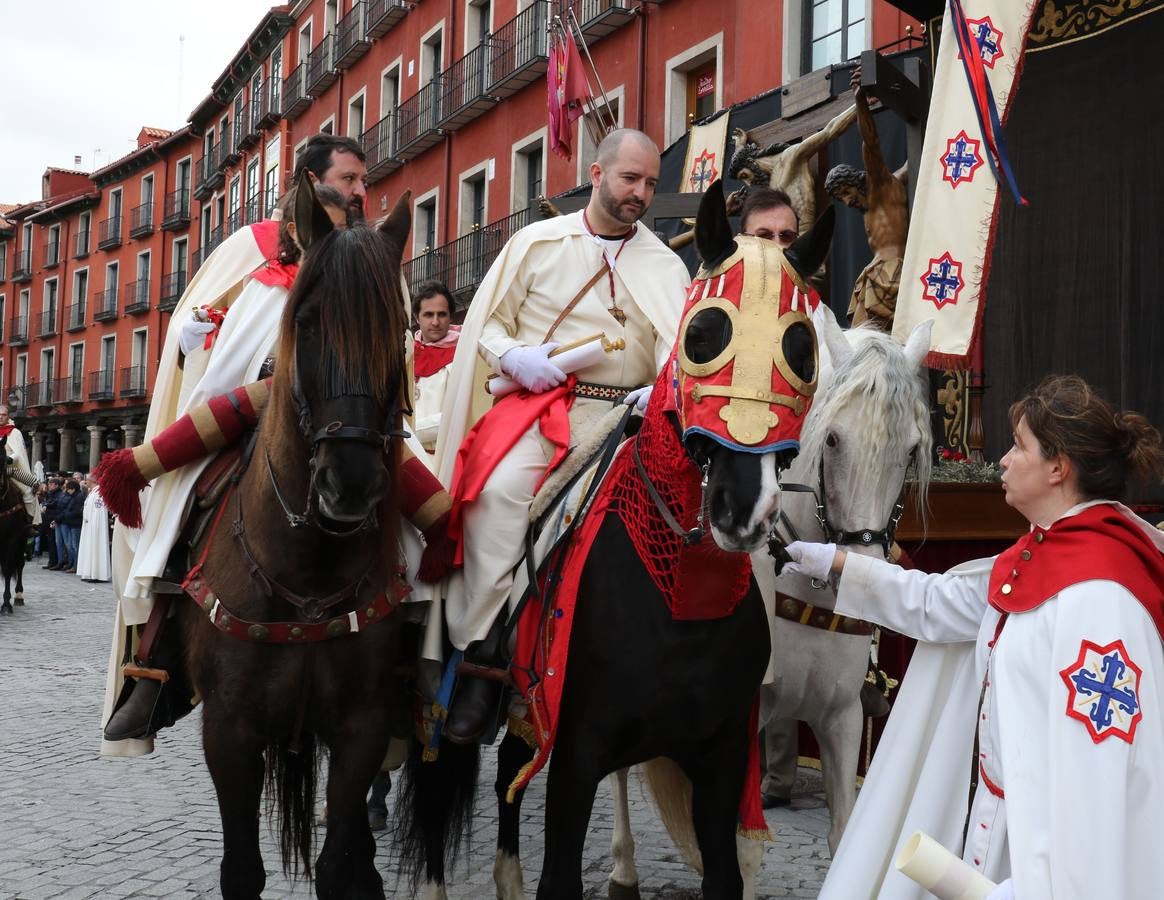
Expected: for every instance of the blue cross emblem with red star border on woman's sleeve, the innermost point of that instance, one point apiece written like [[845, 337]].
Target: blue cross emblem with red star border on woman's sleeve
[[1104, 691]]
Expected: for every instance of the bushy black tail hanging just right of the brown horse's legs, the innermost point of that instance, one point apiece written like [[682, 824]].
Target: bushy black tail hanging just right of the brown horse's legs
[[435, 810]]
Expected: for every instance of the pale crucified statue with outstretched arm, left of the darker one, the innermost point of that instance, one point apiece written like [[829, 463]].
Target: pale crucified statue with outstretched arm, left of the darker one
[[785, 166]]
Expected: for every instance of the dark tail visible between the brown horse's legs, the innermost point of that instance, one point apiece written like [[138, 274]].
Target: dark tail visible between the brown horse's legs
[[292, 776]]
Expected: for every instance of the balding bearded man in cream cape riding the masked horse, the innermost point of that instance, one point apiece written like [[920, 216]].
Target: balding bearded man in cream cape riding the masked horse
[[556, 284]]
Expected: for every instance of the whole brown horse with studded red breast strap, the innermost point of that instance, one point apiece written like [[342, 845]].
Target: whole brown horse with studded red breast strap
[[300, 557]]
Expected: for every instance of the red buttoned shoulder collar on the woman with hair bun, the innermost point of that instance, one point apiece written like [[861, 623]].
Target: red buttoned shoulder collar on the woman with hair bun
[[1099, 544]]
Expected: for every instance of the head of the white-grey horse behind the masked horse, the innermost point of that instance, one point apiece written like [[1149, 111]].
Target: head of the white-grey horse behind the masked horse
[[870, 423]]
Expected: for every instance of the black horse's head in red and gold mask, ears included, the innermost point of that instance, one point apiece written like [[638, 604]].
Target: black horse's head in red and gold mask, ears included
[[747, 368]]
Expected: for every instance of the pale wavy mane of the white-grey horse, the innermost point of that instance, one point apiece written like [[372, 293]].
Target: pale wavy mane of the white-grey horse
[[886, 394]]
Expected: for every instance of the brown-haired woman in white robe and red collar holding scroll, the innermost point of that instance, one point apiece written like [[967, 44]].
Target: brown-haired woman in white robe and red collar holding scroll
[[1063, 770]]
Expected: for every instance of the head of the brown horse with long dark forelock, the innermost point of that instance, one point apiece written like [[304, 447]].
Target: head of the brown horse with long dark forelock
[[343, 353]]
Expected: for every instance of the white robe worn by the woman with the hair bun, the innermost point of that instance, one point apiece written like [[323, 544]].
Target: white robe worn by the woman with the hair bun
[[1080, 818]]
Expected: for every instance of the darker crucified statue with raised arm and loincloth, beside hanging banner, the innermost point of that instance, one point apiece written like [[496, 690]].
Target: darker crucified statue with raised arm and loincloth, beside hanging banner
[[882, 196]]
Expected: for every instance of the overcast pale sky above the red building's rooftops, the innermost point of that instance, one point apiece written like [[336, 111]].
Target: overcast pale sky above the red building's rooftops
[[82, 79]]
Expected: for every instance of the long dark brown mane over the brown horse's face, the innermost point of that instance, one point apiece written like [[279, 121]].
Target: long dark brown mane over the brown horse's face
[[363, 321]]
